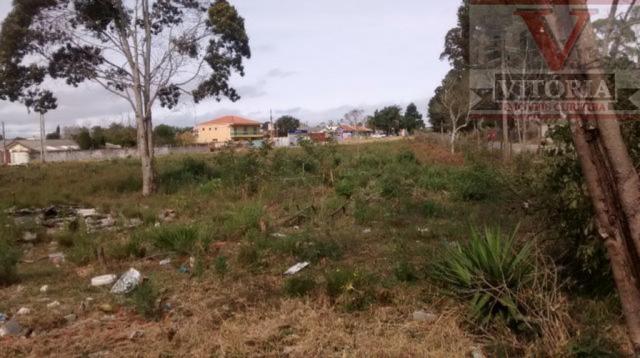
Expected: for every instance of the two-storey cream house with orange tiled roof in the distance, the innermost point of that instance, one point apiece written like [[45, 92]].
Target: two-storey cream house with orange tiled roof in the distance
[[228, 129]]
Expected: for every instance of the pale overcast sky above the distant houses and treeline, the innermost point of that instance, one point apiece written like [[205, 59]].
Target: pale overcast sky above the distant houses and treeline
[[315, 60]]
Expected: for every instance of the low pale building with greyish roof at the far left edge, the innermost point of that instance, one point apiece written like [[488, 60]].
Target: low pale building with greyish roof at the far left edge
[[23, 151]]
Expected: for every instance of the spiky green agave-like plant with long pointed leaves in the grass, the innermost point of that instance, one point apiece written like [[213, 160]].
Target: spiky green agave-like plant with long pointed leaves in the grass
[[489, 271]]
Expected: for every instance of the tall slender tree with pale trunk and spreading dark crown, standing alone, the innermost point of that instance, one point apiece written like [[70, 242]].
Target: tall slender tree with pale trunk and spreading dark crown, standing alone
[[146, 52]]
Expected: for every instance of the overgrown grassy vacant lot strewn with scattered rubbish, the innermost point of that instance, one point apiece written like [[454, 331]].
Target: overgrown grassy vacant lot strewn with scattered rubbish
[[371, 220]]
